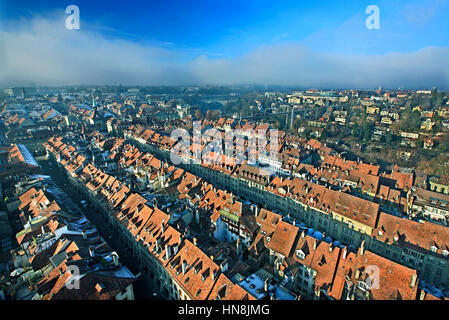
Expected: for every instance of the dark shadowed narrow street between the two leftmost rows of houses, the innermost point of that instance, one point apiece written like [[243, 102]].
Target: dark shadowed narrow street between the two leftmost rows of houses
[[143, 288]]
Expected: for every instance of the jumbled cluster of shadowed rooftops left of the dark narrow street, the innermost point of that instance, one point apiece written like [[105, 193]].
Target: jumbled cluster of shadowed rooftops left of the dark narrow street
[[61, 255]]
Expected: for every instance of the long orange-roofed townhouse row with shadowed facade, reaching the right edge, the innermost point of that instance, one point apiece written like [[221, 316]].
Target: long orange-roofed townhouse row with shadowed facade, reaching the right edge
[[342, 216]]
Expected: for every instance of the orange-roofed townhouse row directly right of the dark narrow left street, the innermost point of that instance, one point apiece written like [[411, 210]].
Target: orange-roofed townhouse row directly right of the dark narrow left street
[[178, 267]]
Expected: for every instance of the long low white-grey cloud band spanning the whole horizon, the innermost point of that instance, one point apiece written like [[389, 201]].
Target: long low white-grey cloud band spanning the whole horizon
[[43, 52]]
